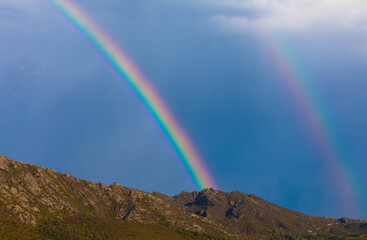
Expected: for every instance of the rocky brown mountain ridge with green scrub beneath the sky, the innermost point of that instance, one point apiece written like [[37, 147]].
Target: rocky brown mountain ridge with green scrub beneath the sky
[[39, 203]]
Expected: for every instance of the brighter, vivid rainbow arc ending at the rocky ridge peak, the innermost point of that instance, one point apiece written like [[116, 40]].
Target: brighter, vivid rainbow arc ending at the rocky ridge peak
[[126, 71]]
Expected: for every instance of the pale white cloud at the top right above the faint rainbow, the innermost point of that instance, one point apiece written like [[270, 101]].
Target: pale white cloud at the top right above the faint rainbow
[[293, 15]]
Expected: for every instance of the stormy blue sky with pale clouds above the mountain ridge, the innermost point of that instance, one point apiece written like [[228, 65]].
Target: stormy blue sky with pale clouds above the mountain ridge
[[213, 63]]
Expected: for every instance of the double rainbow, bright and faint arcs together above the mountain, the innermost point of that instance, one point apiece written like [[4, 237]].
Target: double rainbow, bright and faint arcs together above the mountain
[[294, 78]]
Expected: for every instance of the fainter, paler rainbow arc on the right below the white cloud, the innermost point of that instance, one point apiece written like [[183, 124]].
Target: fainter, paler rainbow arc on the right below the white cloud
[[324, 137]]
